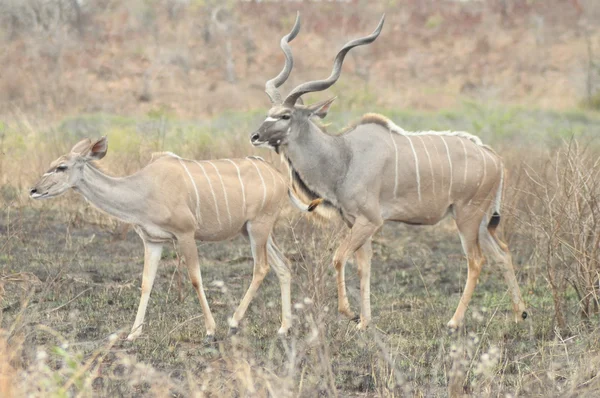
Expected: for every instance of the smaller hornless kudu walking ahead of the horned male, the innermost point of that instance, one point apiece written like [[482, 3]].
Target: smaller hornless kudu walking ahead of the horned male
[[175, 199]]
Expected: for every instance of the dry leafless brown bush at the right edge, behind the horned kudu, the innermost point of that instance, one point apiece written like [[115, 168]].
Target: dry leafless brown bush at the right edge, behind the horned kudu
[[561, 211]]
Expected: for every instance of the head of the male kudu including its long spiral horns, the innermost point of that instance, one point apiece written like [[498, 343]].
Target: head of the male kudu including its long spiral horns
[[286, 118]]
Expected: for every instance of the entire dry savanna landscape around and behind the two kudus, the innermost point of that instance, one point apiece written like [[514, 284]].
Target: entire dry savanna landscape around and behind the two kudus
[[70, 276]]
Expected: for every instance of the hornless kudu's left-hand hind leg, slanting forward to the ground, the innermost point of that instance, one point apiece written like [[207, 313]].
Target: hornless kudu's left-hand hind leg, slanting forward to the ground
[[259, 235]]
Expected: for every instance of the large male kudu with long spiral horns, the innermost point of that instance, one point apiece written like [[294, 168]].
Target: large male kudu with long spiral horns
[[375, 171]]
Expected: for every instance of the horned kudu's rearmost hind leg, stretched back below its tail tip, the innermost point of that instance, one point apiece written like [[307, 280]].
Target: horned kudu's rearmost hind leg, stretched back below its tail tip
[[498, 252]]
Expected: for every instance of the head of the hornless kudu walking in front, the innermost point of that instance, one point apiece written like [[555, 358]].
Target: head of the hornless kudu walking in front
[[66, 171]]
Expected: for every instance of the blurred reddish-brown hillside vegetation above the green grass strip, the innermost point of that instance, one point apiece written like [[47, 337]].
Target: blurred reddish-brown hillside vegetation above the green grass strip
[[198, 58]]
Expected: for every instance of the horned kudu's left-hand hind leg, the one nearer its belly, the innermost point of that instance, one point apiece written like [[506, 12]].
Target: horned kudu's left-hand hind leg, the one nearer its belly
[[469, 239]]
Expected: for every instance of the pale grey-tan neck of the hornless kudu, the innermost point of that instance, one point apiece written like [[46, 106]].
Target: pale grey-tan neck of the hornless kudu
[[121, 197]]
